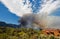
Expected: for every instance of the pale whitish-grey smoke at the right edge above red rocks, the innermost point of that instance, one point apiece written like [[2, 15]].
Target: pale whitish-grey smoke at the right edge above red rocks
[[53, 22]]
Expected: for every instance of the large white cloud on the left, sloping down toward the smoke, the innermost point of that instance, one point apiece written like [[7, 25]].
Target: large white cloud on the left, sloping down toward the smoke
[[17, 7]]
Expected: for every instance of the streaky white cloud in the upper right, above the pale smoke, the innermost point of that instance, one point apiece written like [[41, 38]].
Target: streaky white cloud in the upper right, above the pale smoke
[[49, 6]]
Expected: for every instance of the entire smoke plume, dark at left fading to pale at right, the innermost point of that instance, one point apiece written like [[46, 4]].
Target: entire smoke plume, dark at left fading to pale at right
[[37, 21]]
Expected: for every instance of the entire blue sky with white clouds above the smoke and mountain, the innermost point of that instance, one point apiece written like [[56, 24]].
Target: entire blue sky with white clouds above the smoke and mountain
[[11, 10]]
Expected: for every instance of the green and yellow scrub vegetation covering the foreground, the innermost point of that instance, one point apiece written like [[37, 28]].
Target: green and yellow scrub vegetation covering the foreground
[[23, 33]]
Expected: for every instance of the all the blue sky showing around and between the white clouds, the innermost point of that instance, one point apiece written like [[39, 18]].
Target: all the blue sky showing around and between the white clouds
[[9, 17]]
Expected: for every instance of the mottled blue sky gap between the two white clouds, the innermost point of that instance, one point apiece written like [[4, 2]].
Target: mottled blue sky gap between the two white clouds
[[35, 5]]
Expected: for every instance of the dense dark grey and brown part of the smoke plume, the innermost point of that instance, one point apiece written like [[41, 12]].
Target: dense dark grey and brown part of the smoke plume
[[33, 21]]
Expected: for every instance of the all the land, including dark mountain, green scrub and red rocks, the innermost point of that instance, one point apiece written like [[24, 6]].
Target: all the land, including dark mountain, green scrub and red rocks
[[12, 31]]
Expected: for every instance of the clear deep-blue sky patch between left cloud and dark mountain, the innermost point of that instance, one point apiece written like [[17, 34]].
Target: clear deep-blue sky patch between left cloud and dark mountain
[[7, 16]]
